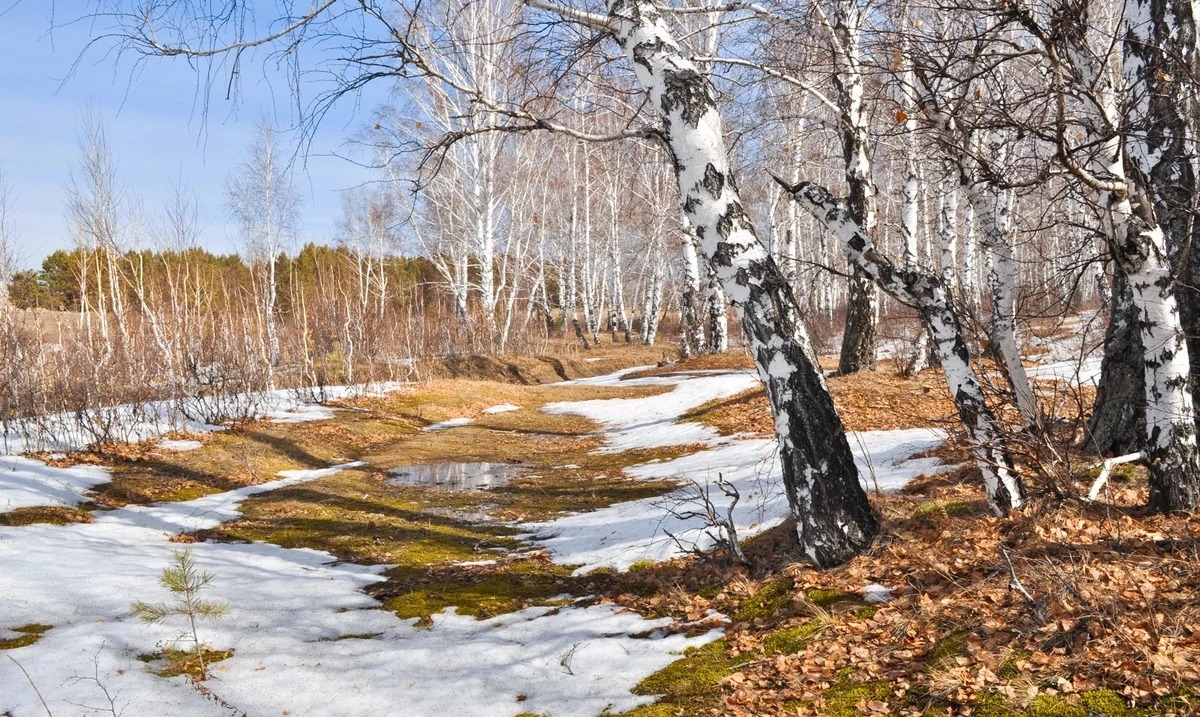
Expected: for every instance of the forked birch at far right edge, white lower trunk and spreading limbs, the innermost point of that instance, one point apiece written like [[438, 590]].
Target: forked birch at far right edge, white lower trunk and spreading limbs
[[1141, 124]]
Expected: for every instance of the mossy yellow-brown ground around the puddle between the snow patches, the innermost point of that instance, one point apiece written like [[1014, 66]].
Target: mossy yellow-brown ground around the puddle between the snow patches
[[359, 516]]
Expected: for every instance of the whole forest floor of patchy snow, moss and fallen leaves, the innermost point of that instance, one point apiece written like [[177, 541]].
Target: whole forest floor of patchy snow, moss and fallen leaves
[[356, 586]]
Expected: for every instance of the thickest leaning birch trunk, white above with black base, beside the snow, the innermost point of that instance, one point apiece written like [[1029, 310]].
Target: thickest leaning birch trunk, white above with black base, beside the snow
[[833, 519]]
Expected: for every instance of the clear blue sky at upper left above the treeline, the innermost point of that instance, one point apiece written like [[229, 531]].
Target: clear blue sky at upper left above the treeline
[[155, 129]]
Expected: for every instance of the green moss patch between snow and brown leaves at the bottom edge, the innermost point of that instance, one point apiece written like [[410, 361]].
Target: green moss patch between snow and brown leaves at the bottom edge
[[691, 685]]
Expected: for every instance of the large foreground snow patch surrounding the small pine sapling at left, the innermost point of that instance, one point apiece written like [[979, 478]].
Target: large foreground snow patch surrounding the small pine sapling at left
[[308, 641]]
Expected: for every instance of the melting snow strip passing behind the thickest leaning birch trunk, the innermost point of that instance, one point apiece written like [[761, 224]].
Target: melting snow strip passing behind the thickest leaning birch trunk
[[625, 534]]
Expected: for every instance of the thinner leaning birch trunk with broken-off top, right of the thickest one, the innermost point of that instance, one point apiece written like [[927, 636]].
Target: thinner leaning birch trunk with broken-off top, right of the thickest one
[[926, 292]]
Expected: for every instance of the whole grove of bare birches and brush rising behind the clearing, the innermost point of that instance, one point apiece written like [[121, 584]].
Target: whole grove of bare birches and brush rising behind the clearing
[[575, 177]]
